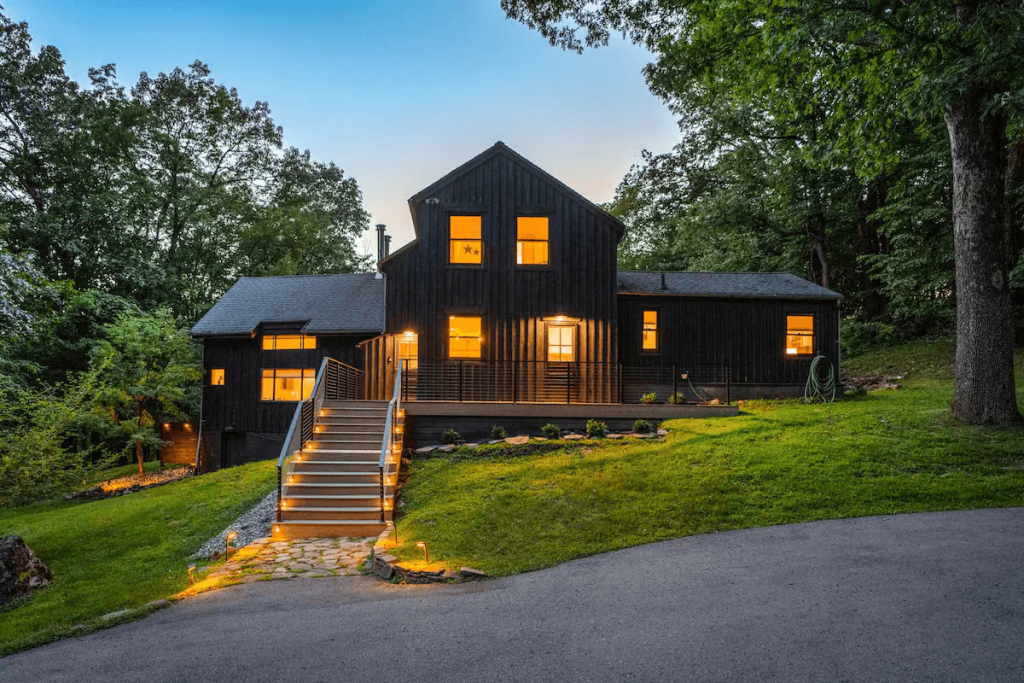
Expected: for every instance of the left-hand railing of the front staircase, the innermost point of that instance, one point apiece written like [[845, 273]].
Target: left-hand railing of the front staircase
[[335, 381]]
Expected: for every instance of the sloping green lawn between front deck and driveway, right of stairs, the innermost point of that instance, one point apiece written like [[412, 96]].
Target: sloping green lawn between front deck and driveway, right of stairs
[[783, 462]]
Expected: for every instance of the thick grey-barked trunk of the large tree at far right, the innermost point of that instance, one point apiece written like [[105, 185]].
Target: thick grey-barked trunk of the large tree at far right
[[984, 377]]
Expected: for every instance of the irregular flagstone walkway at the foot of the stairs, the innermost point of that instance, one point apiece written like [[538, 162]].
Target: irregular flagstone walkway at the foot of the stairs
[[266, 560]]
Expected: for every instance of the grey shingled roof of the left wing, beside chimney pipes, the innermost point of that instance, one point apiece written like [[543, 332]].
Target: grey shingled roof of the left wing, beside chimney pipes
[[326, 305]]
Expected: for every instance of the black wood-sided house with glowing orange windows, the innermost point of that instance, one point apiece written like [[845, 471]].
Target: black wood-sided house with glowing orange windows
[[507, 309]]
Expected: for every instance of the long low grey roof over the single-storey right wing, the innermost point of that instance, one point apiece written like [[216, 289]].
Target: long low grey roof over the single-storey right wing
[[750, 285]]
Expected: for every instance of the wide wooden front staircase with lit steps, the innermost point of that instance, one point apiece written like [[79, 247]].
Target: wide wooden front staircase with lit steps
[[333, 487]]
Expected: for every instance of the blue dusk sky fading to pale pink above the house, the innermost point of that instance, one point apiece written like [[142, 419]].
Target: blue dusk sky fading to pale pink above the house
[[397, 94]]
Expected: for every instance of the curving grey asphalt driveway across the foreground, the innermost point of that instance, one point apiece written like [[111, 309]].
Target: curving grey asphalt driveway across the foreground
[[931, 597]]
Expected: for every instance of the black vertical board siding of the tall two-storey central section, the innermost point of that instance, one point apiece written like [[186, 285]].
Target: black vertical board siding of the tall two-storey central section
[[580, 282]]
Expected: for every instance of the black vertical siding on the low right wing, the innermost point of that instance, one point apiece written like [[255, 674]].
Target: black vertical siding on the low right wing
[[747, 333]]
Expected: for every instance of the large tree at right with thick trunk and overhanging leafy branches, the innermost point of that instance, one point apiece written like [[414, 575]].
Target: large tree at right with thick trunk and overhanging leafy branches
[[890, 64]]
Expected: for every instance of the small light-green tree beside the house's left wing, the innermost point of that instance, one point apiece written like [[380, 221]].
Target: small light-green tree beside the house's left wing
[[150, 370]]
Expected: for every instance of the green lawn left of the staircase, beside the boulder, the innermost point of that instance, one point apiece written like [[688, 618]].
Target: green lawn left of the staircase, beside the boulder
[[122, 552]]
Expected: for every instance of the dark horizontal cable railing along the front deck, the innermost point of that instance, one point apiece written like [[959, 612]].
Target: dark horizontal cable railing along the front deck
[[554, 382]]
